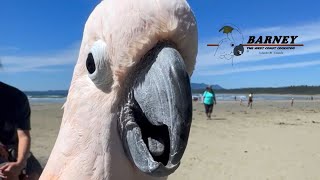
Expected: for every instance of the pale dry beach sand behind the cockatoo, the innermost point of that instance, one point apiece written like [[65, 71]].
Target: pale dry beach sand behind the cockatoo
[[271, 141]]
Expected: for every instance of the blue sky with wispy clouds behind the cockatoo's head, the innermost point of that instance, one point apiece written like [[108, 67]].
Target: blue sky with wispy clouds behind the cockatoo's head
[[39, 42]]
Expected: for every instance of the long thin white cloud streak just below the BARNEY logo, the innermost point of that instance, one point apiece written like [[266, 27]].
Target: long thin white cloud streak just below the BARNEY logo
[[261, 68]]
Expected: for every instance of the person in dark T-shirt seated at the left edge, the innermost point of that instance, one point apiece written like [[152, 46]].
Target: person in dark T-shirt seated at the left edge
[[15, 156]]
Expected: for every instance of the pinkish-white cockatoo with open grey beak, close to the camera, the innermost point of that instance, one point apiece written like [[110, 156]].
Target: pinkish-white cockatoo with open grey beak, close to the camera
[[129, 109]]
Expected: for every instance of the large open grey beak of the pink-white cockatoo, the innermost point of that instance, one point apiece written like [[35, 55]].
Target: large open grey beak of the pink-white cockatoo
[[155, 121]]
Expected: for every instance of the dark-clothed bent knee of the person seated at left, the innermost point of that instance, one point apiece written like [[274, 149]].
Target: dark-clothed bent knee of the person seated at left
[[33, 169]]
